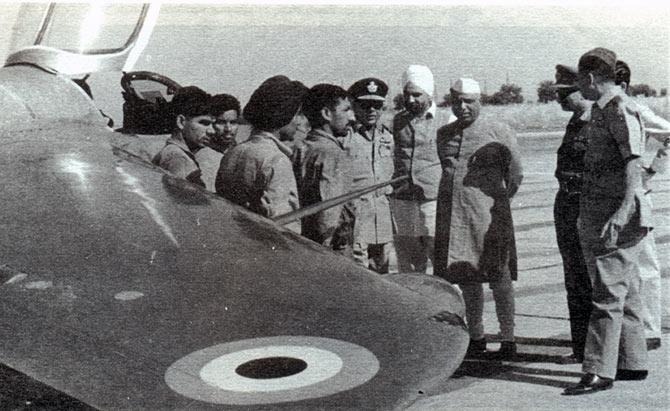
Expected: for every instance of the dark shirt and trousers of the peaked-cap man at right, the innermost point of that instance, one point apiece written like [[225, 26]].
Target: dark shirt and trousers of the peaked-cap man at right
[[569, 172]]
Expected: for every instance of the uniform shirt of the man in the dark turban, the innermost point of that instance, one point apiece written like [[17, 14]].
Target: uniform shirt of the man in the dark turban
[[258, 175]]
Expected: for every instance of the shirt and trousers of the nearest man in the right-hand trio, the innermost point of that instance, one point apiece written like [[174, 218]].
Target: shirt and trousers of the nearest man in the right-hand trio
[[615, 338]]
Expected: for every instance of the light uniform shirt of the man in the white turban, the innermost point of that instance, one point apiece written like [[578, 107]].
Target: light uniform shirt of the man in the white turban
[[416, 152]]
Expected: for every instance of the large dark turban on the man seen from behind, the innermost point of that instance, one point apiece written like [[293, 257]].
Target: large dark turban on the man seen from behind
[[274, 103]]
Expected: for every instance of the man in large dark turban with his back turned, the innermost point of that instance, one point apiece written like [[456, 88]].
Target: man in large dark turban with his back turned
[[258, 173]]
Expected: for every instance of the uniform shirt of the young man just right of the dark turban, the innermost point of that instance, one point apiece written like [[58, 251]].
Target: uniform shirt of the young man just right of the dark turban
[[321, 164]]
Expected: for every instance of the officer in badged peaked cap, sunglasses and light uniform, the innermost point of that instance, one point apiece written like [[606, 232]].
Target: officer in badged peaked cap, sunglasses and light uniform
[[371, 150]]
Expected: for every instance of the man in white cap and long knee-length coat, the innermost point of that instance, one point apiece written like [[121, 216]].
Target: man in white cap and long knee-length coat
[[474, 240]]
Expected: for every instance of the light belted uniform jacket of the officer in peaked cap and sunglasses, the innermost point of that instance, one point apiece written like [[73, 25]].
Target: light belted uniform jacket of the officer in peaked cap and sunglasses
[[371, 153]]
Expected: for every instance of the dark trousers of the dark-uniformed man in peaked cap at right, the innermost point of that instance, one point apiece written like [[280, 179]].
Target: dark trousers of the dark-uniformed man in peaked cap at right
[[577, 282]]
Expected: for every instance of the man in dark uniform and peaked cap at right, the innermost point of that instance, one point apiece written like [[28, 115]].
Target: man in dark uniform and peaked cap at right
[[569, 172]]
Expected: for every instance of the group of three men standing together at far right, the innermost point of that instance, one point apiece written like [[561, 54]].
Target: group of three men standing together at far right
[[603, 221]]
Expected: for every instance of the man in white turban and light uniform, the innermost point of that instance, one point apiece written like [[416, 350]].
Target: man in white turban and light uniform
[[413, 201]]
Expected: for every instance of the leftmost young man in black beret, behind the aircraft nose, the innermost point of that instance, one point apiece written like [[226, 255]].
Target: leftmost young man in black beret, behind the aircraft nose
[[193, 126]]
